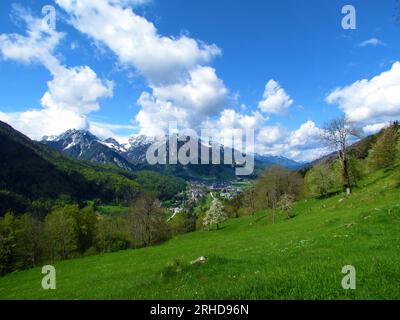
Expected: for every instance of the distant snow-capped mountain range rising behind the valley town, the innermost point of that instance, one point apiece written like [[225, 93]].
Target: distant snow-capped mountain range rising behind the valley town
[[132, 156]]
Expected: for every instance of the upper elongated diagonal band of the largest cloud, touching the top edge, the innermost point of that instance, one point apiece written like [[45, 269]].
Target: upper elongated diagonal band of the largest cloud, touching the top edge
[[136, 40]]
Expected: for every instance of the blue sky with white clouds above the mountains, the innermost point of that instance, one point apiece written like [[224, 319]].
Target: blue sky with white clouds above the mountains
[[231, 51]]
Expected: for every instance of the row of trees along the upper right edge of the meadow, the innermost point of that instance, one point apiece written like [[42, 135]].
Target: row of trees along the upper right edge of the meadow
[[278, 188]]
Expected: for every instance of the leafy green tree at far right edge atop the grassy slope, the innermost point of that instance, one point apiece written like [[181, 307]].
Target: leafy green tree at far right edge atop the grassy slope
[[384, 152]]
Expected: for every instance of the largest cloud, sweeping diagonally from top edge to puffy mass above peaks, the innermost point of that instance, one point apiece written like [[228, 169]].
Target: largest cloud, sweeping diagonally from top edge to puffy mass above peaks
[[183, 87]]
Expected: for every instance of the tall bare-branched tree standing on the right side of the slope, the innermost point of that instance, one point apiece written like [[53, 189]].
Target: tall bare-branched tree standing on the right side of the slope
[[337, 135]]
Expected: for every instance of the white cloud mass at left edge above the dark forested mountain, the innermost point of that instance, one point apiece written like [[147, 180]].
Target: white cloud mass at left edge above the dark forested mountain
[[72, 93]]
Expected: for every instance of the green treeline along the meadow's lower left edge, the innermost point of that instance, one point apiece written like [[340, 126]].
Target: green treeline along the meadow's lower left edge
[[71, 231]]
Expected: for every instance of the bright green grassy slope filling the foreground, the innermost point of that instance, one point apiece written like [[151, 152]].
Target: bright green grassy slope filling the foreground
[[300, 258]]
